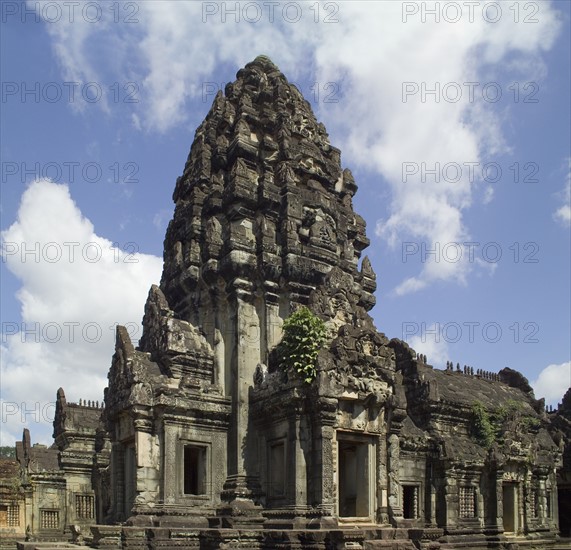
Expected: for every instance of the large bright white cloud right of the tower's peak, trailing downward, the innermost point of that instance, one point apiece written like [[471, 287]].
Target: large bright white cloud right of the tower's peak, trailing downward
[[397, 137]]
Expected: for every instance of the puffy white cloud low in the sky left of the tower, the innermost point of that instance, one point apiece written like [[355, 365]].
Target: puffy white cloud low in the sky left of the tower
[[75, 288]]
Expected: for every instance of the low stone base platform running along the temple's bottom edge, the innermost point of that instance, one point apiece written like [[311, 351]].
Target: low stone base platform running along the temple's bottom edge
[[121, 537]]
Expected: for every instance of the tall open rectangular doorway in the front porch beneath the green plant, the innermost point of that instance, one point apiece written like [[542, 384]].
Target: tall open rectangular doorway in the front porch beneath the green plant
[[354, 479]]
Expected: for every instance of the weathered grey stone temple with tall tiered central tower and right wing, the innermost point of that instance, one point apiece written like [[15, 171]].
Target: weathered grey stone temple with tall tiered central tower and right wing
[[213, 444]]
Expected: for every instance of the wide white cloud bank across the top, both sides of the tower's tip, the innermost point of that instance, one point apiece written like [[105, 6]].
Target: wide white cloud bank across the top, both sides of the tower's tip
[[383, 64]]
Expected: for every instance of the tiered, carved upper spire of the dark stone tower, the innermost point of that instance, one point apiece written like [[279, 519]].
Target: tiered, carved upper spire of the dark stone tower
[[262, 197]]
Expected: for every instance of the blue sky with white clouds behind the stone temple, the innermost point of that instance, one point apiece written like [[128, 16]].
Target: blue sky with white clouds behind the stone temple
[[456, 130]]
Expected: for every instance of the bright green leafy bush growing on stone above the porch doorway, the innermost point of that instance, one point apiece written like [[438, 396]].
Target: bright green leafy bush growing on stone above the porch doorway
[[303, 336]]
